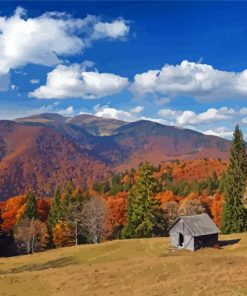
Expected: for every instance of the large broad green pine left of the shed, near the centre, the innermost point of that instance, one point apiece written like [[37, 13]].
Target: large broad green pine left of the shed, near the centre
[[144, 214]]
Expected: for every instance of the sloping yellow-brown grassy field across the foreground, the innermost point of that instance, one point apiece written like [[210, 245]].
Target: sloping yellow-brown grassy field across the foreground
[[133, 267]]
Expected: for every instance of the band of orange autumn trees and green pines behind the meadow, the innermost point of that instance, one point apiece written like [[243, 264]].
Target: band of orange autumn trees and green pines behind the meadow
[[136, 203]]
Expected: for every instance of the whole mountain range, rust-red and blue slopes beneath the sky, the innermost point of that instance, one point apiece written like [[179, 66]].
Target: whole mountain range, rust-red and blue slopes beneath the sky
[[41, 151]]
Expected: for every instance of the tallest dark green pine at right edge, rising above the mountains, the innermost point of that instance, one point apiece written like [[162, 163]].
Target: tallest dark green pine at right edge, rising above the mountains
[[234, 213]]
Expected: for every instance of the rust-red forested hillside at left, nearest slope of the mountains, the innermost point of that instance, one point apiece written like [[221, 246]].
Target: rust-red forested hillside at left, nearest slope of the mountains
[[39, 158]]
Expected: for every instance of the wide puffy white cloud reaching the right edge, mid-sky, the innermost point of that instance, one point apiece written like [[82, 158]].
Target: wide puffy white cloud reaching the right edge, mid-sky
[[200, 81]]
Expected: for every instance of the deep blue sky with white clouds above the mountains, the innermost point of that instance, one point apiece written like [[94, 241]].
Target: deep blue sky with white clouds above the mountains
[[177, 63]]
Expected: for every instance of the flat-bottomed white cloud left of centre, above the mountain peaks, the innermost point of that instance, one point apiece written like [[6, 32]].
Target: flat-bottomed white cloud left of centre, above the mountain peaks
[[74, 82]]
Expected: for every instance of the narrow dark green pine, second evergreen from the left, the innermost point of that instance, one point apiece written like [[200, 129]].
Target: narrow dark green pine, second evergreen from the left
[[55, 213]]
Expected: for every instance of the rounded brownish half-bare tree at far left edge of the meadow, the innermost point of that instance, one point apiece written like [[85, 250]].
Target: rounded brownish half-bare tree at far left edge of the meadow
[[31, 235]]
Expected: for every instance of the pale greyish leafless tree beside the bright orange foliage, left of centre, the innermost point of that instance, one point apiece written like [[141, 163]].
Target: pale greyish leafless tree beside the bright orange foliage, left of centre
[[93, 218]]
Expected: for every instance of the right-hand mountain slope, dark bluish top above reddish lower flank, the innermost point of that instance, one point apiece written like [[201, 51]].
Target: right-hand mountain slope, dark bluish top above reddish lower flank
[[154, 142]]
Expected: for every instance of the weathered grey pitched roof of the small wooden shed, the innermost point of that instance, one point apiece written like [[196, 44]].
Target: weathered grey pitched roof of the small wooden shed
[[198, 224]]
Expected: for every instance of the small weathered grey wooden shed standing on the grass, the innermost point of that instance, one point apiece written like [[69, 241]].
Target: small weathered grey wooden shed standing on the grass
[[194, 232]]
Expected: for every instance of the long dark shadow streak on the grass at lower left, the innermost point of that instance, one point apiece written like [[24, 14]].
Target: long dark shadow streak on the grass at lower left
[[62, 262]]
